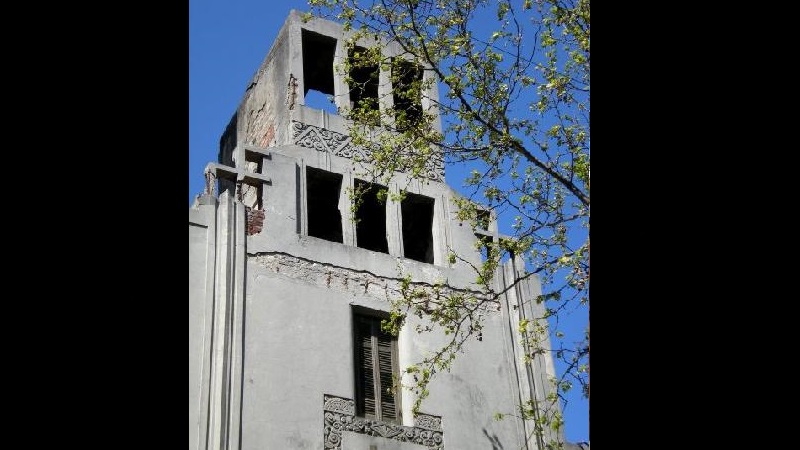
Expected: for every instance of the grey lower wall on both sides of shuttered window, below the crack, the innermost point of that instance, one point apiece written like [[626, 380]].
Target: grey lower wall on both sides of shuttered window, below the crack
[[299, 347]]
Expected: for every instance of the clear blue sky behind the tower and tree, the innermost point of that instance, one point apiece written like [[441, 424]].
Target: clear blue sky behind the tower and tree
[[228, 39]]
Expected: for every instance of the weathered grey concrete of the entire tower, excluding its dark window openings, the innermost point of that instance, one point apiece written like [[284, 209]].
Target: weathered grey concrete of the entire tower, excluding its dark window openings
[[271, 307]]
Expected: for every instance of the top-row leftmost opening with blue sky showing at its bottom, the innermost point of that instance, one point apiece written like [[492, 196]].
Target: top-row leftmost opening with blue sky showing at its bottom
[[318, 53]]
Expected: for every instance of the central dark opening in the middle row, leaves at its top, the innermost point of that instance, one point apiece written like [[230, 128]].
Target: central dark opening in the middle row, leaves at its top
[[371, 218]]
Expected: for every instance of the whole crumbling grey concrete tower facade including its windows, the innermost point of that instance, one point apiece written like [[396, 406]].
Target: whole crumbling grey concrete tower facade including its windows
[[286, 290]]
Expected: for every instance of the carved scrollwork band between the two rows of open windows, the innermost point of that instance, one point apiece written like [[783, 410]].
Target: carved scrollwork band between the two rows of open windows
[[338, 144]]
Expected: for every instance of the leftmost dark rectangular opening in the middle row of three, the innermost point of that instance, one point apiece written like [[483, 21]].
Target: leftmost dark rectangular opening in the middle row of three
[[322, 201]]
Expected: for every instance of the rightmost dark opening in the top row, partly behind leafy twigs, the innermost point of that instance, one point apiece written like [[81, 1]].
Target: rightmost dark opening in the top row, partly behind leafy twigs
[[407, 93]]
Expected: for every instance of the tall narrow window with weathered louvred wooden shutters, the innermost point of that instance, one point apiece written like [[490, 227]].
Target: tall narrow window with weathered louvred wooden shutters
[[376, 366]]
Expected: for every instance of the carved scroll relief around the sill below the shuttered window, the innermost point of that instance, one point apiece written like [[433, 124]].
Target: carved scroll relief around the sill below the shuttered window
[[340, 416]]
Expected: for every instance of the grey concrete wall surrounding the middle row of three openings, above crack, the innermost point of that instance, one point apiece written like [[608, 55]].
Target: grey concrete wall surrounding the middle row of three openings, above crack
[[285, 220]]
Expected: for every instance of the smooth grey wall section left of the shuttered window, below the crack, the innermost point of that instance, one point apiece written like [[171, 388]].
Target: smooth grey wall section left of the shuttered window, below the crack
[[297, 348]]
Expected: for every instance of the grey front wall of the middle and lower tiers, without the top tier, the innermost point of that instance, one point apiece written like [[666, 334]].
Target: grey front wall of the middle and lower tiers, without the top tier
[[298, 343]]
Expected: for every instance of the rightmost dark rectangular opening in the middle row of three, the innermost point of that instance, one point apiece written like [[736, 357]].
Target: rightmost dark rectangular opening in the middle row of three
[[417, 212]]
